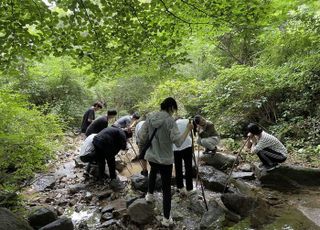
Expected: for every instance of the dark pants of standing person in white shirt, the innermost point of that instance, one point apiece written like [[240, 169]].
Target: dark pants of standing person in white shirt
[[186, 156]]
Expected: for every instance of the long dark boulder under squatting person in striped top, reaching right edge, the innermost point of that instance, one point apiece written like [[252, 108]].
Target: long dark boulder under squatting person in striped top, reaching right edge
[[287, 177]]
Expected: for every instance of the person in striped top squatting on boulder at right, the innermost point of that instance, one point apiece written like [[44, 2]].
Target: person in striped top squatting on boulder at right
[[268, 148]]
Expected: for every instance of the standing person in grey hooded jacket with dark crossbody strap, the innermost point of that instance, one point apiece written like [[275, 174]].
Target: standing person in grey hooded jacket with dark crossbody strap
[[160, 153]]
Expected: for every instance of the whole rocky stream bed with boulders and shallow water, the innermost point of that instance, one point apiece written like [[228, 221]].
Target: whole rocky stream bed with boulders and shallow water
[[62, 199]]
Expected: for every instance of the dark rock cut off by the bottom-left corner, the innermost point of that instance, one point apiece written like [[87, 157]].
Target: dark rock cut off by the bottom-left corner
[[9, 220]]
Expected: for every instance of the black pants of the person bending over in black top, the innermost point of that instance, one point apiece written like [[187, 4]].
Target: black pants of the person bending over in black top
[[101, 156]]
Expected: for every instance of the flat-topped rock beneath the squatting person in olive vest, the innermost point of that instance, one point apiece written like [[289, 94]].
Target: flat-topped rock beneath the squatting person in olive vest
[[218, 160]]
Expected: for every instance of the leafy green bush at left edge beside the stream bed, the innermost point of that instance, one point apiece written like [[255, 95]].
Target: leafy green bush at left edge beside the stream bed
[[28, 138]]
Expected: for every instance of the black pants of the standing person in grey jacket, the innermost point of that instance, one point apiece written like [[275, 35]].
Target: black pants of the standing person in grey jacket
[[166, 173]]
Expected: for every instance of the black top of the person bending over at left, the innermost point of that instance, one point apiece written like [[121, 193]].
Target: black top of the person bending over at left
[[111, 140]]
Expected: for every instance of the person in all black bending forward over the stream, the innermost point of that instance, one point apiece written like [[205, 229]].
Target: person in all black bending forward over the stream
[[107, 144]]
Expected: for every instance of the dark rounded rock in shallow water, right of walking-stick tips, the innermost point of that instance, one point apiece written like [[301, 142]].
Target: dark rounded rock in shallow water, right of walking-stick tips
[[243, 205]]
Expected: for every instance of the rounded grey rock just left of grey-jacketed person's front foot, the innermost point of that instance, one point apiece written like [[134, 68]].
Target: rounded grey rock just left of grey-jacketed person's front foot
[[141, 212]]
